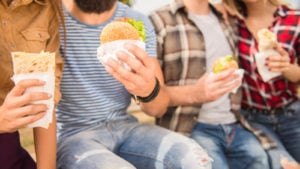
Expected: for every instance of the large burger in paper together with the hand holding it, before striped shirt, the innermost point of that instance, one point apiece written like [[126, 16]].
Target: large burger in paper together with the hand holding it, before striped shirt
[[122, 51]]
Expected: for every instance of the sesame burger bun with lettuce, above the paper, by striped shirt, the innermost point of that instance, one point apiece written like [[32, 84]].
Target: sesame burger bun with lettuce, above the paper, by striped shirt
[[123, 29]]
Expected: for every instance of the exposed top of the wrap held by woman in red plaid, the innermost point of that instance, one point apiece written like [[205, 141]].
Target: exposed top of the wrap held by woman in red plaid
[[267, 40]]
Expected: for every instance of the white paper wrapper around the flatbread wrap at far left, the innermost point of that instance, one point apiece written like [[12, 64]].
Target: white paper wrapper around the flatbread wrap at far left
[[49, 78]]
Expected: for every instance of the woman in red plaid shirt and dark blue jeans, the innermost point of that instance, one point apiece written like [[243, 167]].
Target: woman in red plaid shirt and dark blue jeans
[[272, 106]]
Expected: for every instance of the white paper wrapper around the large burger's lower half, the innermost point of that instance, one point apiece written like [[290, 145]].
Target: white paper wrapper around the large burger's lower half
[[109, 50]]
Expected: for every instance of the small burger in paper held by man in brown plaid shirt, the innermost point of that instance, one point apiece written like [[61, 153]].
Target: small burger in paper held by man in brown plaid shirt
[[225, 63]]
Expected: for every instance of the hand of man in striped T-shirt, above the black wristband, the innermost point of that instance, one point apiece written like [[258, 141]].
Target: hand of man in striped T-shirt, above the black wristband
[[140, 80]]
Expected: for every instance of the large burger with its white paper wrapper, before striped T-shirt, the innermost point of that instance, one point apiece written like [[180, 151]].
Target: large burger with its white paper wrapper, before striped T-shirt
[[115, 34]]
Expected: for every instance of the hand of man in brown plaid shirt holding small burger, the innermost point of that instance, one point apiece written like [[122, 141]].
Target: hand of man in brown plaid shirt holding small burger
[[212, 86]]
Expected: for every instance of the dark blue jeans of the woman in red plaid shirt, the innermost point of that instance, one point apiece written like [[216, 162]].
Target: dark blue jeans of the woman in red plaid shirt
[[284, 129]]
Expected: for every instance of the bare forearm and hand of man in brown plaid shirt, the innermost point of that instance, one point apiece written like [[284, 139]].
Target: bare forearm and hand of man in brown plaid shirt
[[208, 88]]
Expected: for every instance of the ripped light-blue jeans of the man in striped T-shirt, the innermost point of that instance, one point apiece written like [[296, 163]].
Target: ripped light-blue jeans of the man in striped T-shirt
[[126, 144]]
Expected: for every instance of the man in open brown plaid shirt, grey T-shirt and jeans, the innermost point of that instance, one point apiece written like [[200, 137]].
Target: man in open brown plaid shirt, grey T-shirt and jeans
[[191, 36]]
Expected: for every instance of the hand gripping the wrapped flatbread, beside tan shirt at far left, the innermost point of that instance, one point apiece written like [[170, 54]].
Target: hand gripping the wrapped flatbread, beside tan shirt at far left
[[16, 110]]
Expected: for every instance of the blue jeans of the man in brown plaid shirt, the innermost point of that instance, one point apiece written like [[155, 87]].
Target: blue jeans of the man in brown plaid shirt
[[230, 146]]
